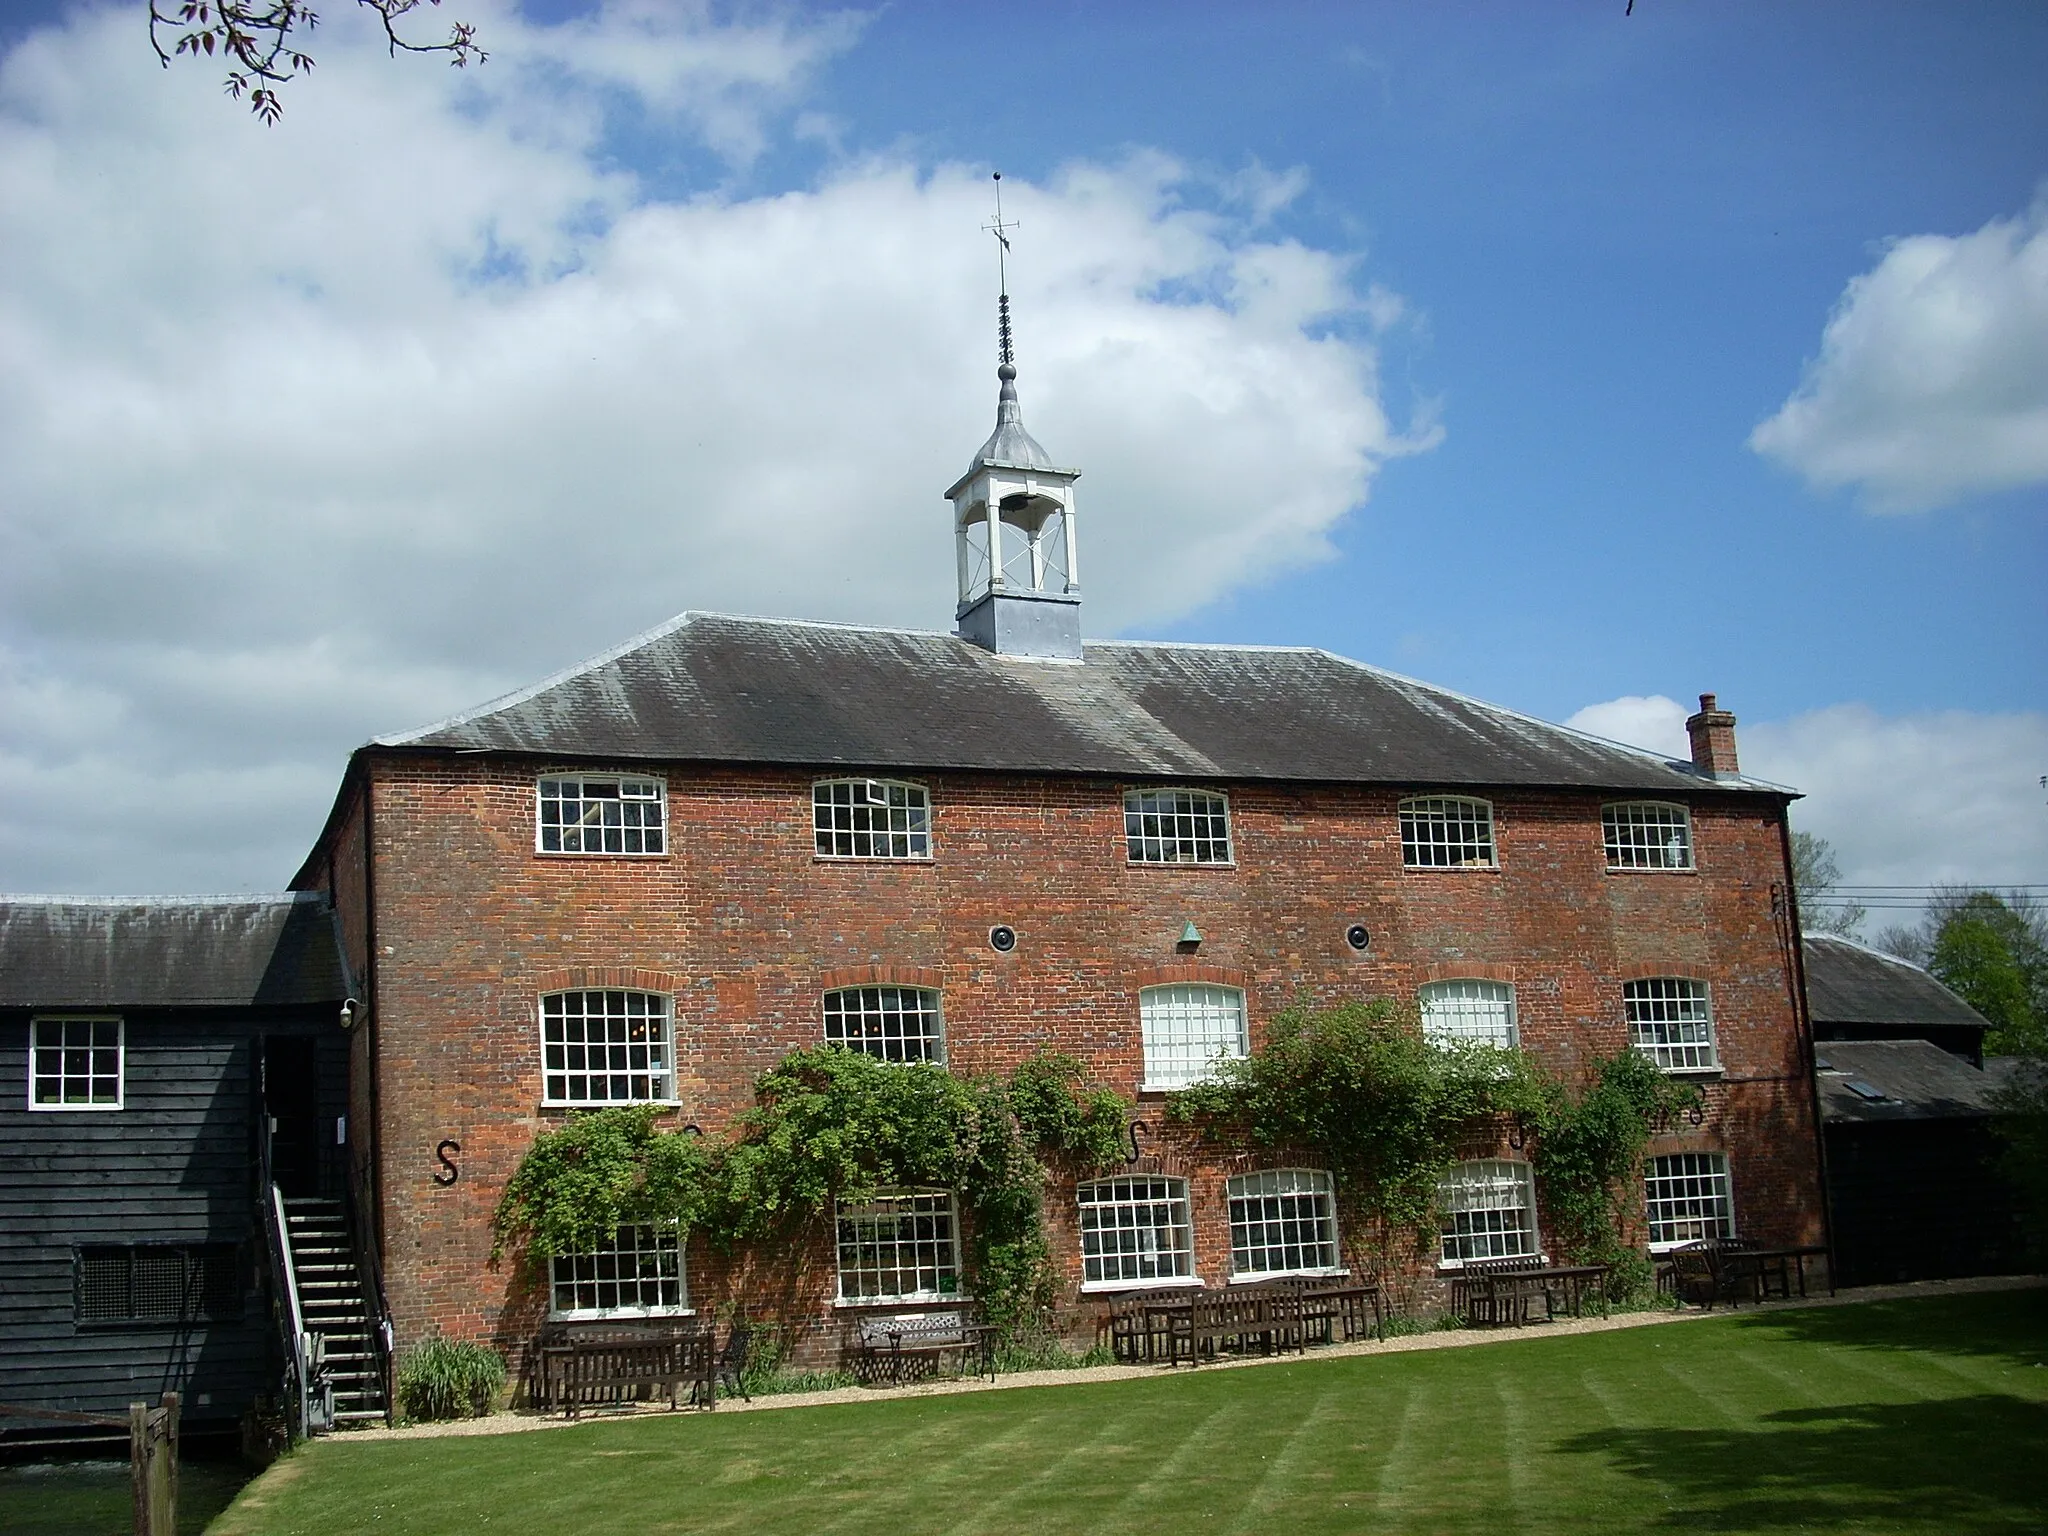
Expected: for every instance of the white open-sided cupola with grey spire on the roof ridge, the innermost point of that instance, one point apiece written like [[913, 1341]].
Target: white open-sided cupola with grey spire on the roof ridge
[[1013, 529]]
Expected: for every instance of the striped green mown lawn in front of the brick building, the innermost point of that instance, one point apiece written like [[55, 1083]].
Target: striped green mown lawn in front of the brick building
[[1926, 1416]]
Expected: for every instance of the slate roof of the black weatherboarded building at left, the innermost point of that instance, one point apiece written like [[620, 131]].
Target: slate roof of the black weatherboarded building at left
[[169, 951]]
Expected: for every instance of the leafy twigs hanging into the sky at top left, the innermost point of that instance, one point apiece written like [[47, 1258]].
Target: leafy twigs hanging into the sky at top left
[[263, 42]]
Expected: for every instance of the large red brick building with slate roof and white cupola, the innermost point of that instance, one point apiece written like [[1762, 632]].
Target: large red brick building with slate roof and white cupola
[[658, 873]]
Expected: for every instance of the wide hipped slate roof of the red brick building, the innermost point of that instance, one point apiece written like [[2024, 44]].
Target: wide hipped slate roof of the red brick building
[[773, 691]]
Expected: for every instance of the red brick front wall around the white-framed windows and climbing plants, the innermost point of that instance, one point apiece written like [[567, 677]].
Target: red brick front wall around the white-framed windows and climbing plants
[[746, 929]]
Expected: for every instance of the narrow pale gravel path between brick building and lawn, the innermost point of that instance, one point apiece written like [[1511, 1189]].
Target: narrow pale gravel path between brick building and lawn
[[499, 1424]]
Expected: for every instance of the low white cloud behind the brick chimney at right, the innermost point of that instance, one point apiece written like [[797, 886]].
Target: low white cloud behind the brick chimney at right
[[1906, 800]]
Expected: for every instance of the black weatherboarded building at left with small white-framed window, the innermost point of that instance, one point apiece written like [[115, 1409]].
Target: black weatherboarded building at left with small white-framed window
[[161, 1058]]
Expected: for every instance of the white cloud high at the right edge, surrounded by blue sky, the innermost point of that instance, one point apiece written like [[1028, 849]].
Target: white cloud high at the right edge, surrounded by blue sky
[[1932, 380]]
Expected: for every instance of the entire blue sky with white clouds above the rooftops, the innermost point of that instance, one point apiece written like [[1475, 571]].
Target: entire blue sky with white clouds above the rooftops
[[1426, 335]]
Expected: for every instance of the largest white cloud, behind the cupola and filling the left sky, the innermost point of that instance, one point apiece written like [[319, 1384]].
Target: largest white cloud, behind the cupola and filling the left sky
[[331, 429]]
